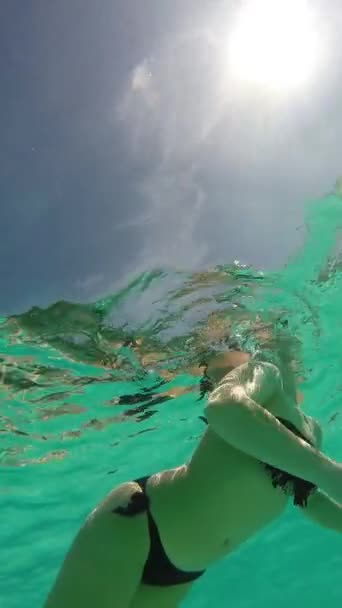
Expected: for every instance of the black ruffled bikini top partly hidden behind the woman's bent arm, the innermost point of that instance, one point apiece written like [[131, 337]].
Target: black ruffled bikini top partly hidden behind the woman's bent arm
[[299, 488]]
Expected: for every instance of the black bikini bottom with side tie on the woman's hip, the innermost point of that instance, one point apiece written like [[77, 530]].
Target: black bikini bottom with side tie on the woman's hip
[[158, 570]]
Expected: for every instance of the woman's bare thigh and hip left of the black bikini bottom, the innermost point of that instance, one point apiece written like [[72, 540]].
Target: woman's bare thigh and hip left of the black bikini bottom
[[104, 565]]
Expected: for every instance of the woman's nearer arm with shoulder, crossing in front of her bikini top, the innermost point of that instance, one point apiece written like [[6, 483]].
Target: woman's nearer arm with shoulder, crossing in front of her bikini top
[[235, 412]]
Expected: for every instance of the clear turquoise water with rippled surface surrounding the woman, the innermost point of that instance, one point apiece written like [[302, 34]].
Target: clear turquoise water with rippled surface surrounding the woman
[[65, 439]]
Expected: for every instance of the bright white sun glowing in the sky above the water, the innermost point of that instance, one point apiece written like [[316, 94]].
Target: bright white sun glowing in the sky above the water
[[274, 43]]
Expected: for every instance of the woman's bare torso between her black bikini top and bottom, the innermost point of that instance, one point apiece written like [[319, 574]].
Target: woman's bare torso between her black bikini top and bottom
[[206, 509]]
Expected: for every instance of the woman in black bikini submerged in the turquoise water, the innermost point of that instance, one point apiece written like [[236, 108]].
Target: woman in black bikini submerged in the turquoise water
[[147, 542]]
